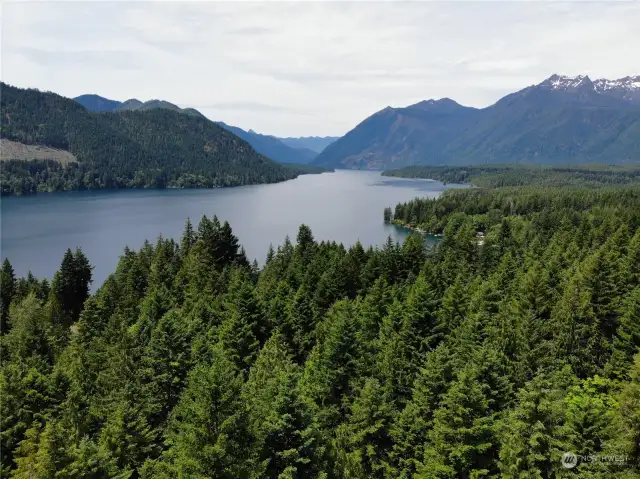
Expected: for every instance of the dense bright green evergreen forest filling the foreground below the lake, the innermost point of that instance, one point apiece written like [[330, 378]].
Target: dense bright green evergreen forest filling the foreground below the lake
[[474, 359]]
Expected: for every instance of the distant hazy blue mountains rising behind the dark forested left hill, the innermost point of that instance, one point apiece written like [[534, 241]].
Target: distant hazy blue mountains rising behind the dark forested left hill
[[283, 150]]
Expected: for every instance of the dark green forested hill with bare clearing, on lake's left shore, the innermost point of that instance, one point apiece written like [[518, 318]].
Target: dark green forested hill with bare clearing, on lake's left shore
[[154, 148]]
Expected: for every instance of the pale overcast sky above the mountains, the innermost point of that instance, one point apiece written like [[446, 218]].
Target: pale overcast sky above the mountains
[[311, 68]]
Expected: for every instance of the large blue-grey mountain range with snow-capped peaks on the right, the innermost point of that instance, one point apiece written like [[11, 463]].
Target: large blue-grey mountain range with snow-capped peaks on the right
[[562, 120]]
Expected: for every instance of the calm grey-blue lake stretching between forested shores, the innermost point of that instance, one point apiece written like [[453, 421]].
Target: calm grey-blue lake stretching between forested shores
[[344, 206]]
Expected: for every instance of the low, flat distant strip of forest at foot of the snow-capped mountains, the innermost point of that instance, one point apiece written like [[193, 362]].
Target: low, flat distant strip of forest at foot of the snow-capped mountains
[[495, 176]]
